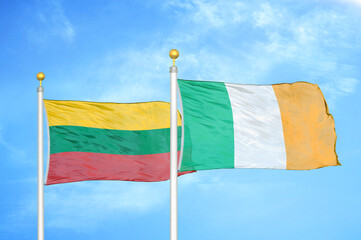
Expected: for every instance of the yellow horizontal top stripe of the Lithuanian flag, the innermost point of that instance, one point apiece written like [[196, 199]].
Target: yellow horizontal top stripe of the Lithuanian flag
[[120, 116]]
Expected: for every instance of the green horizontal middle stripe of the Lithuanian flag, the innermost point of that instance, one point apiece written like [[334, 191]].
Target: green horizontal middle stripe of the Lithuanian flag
[[97, 140]]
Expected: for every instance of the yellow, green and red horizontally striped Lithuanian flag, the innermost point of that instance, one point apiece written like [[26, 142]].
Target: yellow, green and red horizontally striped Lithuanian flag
[[108, 141]]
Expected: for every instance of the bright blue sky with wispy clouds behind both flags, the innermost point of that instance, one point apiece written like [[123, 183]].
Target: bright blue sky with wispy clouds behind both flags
[[118, 51]]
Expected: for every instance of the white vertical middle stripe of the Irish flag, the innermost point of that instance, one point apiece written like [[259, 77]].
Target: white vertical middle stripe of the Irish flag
[[257, 124]]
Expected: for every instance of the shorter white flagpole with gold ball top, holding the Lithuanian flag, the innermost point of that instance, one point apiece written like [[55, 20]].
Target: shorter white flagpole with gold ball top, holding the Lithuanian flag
[[40, 76]]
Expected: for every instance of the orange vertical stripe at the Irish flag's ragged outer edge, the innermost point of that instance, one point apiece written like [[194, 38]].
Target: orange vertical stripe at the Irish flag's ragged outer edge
[[308, 128]]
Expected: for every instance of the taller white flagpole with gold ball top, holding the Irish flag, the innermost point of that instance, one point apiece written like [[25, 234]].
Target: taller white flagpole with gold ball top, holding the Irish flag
[[173, 148]]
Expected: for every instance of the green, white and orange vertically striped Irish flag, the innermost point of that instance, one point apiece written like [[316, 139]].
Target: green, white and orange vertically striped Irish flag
[[283, 126]]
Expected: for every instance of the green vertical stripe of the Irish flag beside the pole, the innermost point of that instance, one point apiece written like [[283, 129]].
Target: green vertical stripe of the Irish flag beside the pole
[[208, 126]]
